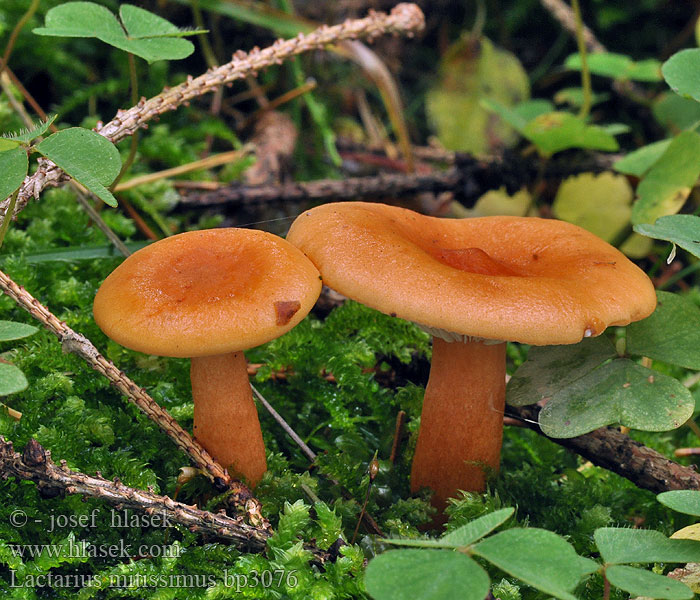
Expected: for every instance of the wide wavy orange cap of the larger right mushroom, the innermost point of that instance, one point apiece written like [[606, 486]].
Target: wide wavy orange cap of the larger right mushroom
[[525, 279]]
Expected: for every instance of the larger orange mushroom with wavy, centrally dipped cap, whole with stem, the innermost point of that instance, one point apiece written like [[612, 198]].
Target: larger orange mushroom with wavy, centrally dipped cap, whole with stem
[[473, 284]]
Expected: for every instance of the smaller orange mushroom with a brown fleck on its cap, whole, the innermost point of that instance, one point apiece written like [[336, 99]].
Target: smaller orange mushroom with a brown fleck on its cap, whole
[[208, 295]]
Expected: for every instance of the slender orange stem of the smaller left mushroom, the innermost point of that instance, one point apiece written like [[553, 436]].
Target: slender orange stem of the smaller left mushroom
[[225, 418]]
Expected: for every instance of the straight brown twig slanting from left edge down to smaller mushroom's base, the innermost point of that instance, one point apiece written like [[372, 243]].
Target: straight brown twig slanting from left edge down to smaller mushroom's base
[[78, 344]]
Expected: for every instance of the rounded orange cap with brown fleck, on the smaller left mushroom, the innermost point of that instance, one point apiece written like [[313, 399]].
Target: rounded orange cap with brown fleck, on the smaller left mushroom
[[207, 292]]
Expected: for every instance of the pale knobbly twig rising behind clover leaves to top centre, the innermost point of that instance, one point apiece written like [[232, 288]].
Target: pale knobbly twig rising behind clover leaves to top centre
[[404, 18]]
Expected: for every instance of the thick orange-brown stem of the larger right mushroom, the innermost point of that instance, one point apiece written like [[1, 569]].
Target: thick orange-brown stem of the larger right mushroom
[[459, 441]]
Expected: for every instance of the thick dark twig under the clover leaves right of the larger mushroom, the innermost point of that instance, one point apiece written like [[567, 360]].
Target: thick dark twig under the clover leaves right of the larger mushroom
[[609, 448]]
